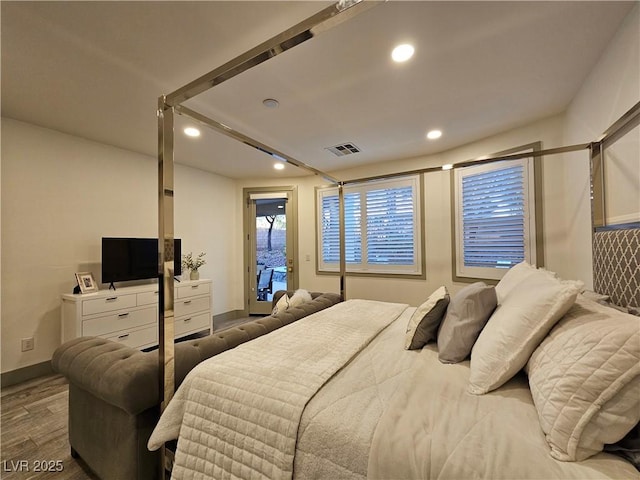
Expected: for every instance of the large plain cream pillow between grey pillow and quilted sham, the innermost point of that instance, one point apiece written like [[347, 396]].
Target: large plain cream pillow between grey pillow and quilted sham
[[516, 328]]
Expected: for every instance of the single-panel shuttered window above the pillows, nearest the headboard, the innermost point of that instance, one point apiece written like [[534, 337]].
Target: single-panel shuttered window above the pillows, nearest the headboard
[[494, 218]]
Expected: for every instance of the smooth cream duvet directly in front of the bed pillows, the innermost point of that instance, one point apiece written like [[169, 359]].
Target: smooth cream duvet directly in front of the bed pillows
[[434, 429]]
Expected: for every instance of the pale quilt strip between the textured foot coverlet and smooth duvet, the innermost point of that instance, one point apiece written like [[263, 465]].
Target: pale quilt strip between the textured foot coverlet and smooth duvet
[[338, 423]]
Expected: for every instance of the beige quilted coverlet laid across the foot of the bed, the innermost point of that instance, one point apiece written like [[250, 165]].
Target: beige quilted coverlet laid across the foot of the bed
[[237, 414]]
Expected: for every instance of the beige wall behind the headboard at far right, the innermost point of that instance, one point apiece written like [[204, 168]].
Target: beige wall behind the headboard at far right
[[610, 90]]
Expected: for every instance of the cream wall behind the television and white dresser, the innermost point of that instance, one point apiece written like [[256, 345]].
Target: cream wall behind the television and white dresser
[[60, 195]]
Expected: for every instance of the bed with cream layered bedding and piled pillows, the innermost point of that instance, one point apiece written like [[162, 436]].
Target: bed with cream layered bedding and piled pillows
[[344, 393]]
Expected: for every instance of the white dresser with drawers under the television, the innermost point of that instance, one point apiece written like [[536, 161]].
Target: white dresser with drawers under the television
[[130, 314]]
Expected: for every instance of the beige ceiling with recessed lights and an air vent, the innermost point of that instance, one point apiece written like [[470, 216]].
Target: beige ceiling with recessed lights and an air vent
[[96, 70]]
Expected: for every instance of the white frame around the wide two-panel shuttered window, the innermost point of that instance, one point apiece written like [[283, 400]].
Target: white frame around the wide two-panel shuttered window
[[415, 270]]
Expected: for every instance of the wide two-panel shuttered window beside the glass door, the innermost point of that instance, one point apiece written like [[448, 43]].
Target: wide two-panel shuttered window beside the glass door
[[382, 227]]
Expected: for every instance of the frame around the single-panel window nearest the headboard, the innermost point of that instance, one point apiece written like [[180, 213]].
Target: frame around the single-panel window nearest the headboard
[[534, 247]]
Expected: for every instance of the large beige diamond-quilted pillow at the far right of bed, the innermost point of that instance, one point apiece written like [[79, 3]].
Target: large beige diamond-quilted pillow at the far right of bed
[[585, 380]]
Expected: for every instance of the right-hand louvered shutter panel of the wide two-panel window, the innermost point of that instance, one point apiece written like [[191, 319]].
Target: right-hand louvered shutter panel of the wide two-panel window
[[390, 226]]
